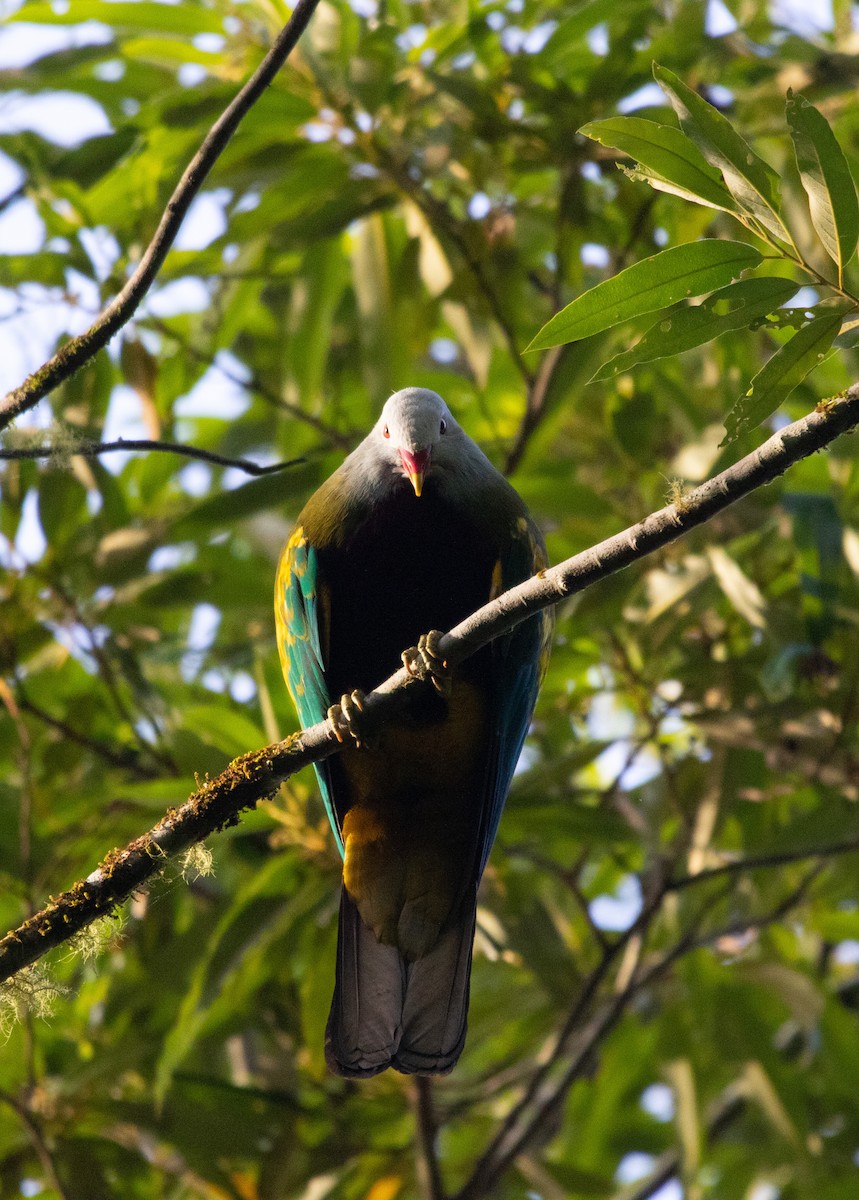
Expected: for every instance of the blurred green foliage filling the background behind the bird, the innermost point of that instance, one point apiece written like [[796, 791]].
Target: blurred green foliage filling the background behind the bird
[[412, 203]]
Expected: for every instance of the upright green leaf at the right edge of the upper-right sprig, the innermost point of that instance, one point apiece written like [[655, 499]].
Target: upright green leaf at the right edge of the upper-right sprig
[[827, 179]]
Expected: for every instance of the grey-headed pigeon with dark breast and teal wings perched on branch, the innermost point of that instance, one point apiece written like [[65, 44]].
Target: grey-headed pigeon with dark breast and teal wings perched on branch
[[415, 532]]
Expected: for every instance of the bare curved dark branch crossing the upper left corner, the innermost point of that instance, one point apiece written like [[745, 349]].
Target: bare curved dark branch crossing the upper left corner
[[81, 350]]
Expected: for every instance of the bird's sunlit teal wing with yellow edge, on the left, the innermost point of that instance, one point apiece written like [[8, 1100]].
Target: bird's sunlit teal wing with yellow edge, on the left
[[301, 603]]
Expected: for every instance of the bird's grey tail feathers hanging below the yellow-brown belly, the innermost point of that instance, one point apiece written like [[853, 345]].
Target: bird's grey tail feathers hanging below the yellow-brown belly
[[388, 1012]]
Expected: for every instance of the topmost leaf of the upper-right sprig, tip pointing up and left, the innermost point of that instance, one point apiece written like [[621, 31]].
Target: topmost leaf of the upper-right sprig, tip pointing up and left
[[750, 181]]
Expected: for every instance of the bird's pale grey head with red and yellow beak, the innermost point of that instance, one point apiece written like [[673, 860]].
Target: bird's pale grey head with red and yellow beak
[[418, 436]]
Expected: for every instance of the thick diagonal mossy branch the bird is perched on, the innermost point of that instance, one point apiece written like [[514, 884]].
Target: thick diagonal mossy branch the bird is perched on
[[257, 776]]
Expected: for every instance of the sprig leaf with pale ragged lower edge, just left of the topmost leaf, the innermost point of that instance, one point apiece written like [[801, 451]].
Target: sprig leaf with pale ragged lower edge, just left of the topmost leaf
[[669, 157]]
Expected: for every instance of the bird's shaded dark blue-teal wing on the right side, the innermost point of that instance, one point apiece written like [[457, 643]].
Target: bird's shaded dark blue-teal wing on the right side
[[520, 663]]
